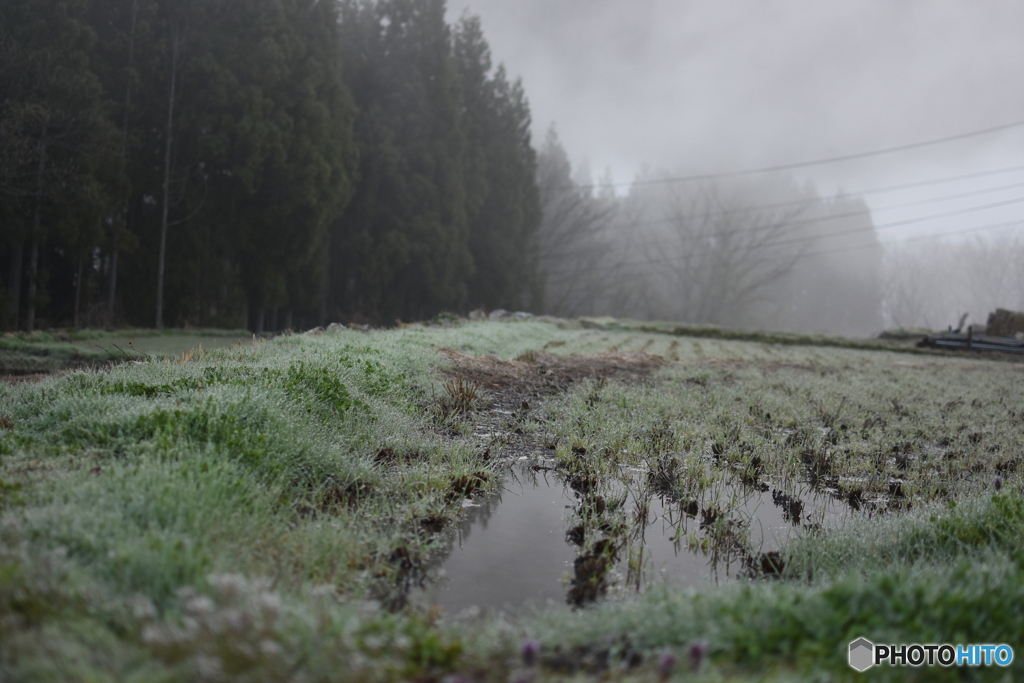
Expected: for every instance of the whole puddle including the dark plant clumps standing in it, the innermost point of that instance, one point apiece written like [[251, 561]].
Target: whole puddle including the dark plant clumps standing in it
[[541, 540]]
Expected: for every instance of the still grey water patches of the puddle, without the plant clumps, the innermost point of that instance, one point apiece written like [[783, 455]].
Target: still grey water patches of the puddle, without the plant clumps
[[510, 551]]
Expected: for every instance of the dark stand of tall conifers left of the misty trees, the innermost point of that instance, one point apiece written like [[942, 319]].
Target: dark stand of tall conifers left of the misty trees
[[259, 163]]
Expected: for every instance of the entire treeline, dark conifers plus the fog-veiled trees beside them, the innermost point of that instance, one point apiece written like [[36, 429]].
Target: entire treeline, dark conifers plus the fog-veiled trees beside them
[[283, 164]]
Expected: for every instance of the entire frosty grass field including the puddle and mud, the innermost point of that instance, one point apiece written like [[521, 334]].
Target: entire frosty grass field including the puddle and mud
[[510, 501]]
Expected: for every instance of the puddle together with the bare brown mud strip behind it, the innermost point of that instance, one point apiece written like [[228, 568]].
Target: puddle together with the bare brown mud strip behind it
[[567, 527]]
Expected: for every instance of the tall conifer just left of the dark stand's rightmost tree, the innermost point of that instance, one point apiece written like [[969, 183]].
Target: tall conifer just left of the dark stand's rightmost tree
[[401, 248]]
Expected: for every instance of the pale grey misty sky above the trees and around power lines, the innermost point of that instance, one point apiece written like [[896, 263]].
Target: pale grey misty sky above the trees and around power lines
[[711, 86]]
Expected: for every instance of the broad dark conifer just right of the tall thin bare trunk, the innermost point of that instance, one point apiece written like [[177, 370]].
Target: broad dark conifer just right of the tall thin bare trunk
[[277, 145]]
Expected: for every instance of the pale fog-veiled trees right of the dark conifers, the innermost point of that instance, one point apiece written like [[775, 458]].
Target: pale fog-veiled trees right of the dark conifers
[[750, 252]]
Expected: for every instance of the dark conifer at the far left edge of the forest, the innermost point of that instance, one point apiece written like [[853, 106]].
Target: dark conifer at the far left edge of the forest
[[60, 140]]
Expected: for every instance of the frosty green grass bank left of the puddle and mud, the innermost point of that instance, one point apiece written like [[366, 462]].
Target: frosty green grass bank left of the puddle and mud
[[295, 463]]
